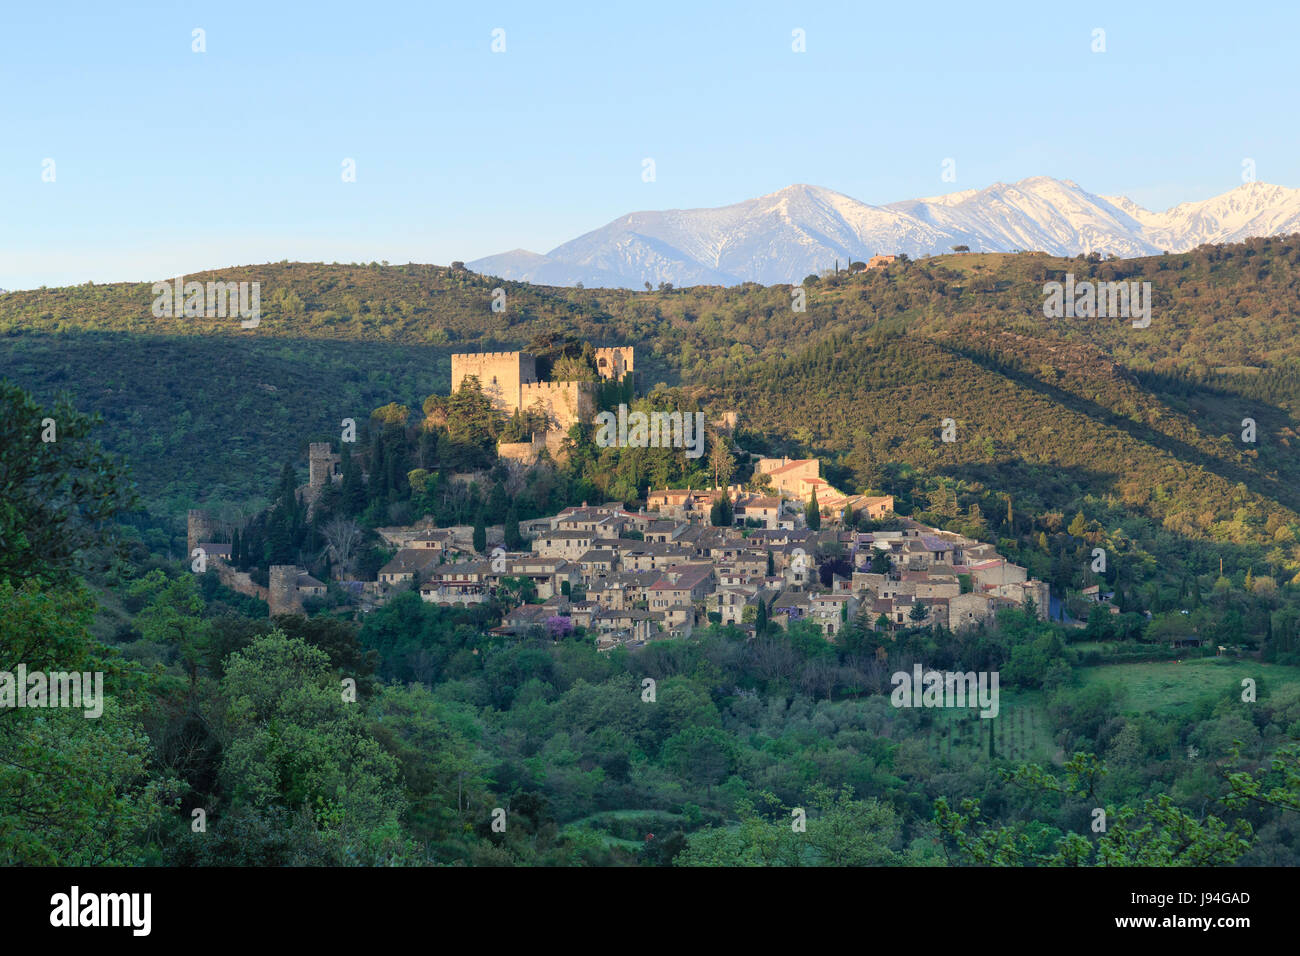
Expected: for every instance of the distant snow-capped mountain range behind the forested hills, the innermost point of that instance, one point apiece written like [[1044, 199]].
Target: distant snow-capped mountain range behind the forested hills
[[804, 230]]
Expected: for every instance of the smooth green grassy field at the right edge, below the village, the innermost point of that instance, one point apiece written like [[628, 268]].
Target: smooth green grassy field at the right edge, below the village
[[1177, 687]]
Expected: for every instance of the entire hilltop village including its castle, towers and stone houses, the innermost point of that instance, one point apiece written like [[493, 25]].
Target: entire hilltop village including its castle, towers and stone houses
[[631, 577]]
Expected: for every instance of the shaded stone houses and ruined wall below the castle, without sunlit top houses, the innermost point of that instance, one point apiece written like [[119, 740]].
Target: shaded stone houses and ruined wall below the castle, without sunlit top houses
[[635, 577]]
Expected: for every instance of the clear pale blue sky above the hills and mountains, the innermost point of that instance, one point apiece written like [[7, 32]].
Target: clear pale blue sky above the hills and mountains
[[171, 162]]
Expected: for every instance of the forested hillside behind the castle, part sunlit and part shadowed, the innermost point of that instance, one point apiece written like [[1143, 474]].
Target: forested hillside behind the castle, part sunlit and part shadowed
[[1048, 409]]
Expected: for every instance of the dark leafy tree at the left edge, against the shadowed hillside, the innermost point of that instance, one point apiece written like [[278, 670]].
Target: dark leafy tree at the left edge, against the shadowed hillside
[[57, 496]]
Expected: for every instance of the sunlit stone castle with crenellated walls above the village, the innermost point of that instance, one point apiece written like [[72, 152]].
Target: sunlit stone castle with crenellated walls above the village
[[510, 382]]
